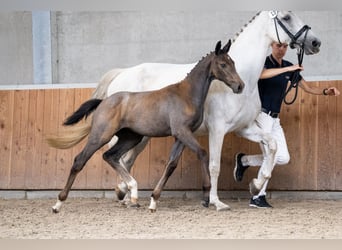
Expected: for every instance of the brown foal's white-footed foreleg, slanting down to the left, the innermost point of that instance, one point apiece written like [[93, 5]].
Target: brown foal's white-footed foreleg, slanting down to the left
[[176, 152]]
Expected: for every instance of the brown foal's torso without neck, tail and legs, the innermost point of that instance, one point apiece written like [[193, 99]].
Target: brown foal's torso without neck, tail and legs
[[150, 113]]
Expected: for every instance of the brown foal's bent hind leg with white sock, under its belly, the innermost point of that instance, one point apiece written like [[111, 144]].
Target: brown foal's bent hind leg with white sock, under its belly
[[127, 140]]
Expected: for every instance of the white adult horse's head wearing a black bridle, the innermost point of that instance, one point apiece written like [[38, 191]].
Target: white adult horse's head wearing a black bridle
[[289, 28]]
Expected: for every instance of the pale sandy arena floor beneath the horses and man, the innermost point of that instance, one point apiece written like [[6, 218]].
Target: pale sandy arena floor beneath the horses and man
[[176, 218]]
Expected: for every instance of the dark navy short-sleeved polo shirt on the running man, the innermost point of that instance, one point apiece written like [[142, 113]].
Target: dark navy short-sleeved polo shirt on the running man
[[272, 90]]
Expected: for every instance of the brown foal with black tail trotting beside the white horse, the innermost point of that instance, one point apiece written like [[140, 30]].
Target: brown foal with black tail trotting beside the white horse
[[176, 110]]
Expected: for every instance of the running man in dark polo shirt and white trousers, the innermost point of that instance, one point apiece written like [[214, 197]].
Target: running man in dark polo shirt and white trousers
[[272, 86]]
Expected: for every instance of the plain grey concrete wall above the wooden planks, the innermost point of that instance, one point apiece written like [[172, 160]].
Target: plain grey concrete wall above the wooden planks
[[87, 44]]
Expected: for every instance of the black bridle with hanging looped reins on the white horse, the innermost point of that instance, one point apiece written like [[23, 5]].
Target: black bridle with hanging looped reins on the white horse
[[300, 51]]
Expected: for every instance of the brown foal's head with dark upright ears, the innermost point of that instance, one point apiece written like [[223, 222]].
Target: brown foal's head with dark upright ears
[[223, 68]]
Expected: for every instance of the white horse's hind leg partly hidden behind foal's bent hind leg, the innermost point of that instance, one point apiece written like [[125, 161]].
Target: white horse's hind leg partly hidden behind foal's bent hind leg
[[127, 161]]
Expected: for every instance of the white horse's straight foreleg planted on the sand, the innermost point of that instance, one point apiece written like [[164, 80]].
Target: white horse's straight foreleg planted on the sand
[[215, 148]]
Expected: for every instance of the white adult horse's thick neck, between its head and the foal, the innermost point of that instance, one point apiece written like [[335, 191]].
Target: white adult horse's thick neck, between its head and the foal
[[250, 50]]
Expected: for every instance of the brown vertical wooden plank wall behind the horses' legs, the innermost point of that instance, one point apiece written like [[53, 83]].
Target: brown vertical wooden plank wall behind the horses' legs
[[313, 127]]
